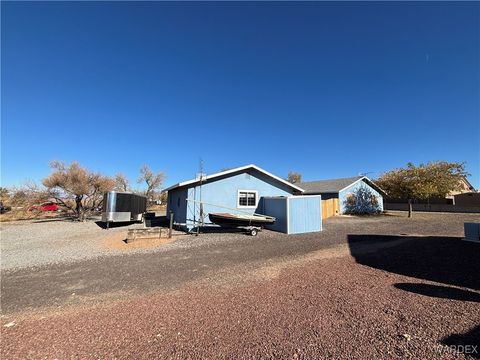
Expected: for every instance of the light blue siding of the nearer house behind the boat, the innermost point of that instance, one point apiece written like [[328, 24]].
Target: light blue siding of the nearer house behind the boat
[[221, 194]]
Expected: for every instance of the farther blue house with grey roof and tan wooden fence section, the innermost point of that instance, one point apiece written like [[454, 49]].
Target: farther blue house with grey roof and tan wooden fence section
[[335, 192]]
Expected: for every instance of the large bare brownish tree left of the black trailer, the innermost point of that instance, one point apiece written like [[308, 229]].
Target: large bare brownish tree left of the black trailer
[[76, 188]]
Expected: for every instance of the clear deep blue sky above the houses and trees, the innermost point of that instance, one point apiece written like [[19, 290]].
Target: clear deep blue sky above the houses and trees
[[325, 89]]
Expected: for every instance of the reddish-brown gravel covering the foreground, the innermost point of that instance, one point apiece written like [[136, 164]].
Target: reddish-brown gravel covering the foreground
[[323, 308]]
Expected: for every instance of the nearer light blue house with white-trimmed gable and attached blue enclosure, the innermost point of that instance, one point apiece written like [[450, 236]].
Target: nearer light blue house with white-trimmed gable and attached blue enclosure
[[247, 189]]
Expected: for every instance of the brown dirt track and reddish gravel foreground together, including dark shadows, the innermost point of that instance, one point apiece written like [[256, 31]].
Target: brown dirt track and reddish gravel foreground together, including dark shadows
[[382, 287]]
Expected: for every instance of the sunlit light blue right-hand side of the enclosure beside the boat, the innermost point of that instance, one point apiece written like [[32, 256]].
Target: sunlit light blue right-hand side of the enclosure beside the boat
[[304, 214]]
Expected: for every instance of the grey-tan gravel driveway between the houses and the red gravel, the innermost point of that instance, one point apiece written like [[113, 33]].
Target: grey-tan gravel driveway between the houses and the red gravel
[[104, 274]]
